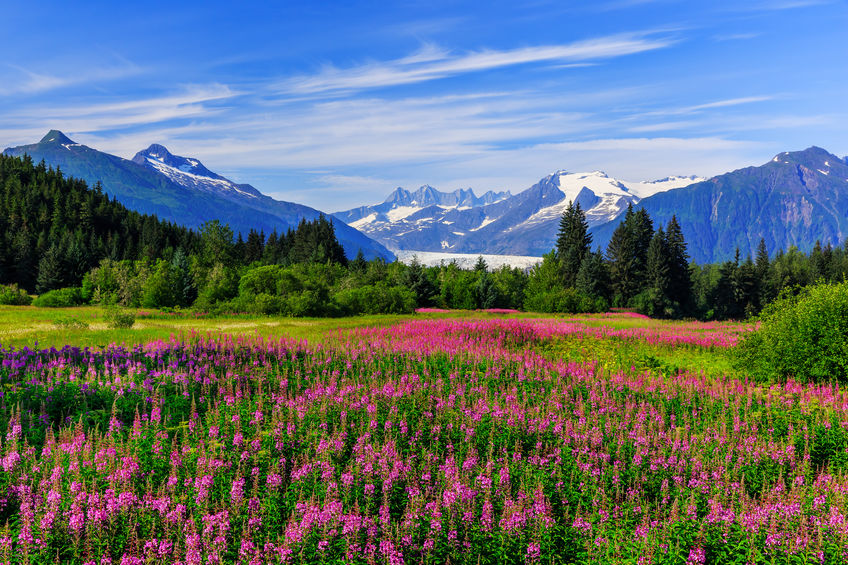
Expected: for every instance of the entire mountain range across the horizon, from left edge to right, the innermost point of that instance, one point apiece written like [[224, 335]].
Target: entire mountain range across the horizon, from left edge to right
[[795, 199]]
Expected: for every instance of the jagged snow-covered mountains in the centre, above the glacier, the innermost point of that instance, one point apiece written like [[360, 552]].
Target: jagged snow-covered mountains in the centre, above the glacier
[[521, 224]]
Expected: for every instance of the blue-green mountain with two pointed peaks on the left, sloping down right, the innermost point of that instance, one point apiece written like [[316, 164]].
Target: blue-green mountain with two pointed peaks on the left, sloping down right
[[183, 191]]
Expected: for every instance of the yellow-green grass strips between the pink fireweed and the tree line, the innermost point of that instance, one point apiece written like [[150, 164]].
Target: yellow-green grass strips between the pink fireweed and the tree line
[[29, 325]]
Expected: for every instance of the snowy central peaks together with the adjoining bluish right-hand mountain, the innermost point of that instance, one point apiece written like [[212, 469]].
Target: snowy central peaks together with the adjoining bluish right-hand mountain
[[795, 199]]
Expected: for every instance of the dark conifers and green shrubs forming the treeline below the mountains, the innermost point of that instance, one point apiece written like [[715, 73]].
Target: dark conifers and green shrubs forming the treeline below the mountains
[[72, 244]]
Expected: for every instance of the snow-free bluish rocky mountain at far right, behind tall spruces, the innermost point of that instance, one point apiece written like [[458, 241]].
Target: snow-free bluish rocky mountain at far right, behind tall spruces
[[795, 199]]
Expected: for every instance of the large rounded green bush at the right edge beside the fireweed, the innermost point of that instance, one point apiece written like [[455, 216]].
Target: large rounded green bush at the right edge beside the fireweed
[[803, 337]]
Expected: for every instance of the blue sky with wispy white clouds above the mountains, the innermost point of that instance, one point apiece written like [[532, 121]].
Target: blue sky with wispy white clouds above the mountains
[[334, 104]]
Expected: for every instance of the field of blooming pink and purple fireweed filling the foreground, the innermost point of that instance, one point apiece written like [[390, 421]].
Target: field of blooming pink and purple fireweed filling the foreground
[[426, 442]]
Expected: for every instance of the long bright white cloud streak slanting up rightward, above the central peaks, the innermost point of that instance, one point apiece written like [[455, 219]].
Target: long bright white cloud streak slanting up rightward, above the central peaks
[[433, 63]]
